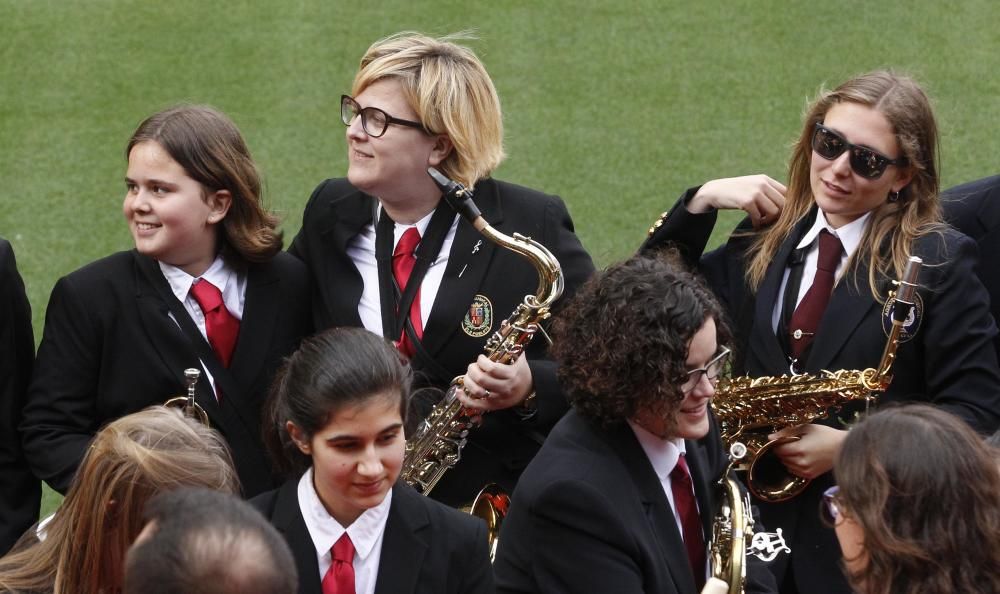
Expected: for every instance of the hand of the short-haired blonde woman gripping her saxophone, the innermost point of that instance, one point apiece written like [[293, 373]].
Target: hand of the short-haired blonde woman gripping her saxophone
[[489, 385]]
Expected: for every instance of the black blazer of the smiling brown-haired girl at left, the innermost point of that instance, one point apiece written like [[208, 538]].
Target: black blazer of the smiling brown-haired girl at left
[[110, 349]]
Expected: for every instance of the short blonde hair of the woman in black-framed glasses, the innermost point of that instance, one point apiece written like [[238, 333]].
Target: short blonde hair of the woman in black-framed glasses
[[450, 91]]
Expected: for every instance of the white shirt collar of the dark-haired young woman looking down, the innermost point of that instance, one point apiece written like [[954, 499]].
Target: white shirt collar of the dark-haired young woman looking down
[[364, 532]]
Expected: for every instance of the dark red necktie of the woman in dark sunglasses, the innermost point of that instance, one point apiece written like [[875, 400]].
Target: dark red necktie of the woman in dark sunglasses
[[805, 320]]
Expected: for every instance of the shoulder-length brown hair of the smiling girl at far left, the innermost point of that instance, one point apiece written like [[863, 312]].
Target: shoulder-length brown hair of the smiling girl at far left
[[210, 148]]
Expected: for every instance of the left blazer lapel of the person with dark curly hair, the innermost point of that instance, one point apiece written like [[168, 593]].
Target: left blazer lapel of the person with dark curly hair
[[658, 510]]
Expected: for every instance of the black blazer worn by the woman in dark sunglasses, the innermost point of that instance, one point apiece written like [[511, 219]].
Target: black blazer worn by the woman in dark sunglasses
[[949, 362]]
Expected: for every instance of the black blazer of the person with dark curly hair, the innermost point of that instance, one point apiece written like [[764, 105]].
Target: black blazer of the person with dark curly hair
[[590, 515]]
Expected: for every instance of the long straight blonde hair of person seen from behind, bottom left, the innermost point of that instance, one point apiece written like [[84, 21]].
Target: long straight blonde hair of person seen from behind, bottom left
[[129, 461]]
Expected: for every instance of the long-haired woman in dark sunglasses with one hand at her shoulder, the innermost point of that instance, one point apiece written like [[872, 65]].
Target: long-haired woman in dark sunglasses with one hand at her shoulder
[[862, 197]]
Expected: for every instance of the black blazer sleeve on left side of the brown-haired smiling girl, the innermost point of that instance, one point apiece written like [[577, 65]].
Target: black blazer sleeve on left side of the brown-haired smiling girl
[[60, 417]]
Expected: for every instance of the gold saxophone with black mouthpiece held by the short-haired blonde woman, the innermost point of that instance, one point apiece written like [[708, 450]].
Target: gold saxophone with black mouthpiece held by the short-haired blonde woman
[[437, 443]]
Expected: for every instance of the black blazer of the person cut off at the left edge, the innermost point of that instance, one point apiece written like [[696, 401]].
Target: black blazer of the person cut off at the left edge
[[20, 491]]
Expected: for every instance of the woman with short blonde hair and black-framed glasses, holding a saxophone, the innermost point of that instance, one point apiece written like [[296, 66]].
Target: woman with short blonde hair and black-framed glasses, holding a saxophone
[[419, 102]]
